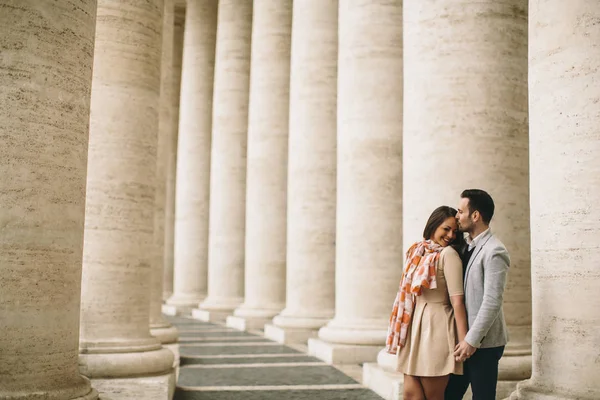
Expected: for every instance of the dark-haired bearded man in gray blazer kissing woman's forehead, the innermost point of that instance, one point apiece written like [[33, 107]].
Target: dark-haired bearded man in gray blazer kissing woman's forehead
[[485, 265]]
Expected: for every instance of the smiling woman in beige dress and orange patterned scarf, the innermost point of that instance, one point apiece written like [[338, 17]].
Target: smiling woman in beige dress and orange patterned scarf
[[429, 315]]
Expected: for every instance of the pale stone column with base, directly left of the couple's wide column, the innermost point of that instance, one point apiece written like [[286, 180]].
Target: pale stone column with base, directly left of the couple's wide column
[[369, 180]]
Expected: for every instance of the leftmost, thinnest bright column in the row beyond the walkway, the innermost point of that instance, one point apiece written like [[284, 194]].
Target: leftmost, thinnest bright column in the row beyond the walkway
[[193, 155]]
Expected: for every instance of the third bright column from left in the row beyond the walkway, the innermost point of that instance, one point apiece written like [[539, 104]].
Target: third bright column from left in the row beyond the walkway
[[268, 112]]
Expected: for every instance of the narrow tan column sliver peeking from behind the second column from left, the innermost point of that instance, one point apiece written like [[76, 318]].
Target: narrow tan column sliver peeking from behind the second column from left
[[159, 326]]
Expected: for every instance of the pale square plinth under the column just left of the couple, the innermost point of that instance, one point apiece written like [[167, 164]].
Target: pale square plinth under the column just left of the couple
[[333, 353]]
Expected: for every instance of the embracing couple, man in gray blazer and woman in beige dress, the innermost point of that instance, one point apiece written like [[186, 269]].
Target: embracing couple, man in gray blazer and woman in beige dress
[[447, 327]]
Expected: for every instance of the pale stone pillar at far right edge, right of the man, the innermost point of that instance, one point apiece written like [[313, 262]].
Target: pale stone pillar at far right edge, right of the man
[[564, 68]]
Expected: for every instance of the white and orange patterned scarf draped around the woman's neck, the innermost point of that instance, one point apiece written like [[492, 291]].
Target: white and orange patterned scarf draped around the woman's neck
[[419, 273]]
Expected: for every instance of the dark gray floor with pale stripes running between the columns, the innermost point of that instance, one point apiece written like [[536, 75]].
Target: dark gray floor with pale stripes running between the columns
[[219, 363]]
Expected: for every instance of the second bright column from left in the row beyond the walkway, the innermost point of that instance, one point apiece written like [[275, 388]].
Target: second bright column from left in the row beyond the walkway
[[228, 162]]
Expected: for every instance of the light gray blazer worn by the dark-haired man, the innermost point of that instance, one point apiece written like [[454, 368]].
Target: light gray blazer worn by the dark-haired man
[[485, 279]]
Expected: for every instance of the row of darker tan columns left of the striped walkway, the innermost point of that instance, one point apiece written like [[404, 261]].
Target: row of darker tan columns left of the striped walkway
[[84, 172]]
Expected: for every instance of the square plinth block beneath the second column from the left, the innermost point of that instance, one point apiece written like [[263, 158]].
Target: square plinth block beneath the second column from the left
[[161, 387]]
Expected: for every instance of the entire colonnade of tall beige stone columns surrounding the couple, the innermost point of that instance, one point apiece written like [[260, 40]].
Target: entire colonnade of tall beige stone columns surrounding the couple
[[270, 161]]
